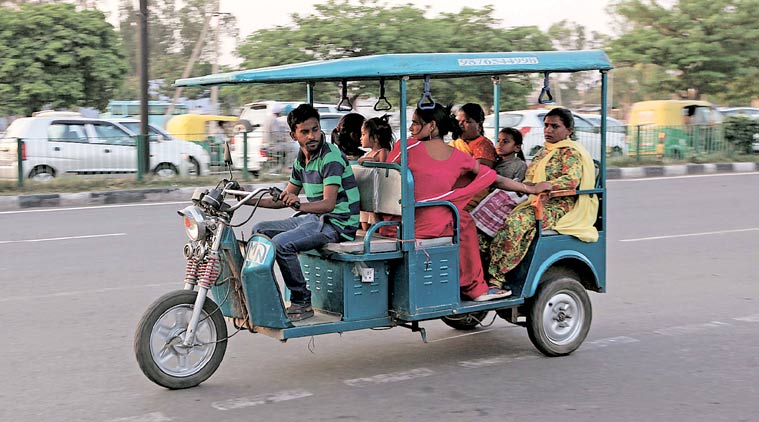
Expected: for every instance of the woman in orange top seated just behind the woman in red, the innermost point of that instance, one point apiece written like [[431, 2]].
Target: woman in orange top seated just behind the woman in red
[[470, 118]]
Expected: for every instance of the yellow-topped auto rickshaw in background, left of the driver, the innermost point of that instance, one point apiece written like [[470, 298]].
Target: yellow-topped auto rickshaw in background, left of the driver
[[209, 130]]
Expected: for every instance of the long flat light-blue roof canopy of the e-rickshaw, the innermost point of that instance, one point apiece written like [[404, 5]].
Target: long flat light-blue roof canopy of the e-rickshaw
[[417, 65]]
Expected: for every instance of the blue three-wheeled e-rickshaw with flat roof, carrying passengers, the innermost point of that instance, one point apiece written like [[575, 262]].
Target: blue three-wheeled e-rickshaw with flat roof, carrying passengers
[[372, 282]]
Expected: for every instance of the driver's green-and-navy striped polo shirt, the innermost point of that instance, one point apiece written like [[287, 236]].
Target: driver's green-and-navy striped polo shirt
[[330, 167]]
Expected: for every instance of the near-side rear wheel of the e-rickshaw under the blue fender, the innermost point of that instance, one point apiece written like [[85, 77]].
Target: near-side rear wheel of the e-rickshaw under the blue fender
[[559, 315]]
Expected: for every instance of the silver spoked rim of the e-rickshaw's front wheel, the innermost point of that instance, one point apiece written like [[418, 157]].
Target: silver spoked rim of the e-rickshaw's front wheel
[[166, 347]]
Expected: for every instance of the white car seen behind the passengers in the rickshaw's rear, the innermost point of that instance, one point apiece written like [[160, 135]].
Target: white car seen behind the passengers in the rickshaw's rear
[[530, 123]]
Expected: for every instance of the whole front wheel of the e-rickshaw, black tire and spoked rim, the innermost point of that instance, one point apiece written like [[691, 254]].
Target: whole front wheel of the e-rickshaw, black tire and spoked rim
[[165, 321]]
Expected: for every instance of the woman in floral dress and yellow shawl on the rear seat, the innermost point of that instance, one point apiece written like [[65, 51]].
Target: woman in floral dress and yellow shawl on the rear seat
[[566, 164]]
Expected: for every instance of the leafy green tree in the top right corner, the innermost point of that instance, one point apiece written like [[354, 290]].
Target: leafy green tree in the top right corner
[[704, 45]]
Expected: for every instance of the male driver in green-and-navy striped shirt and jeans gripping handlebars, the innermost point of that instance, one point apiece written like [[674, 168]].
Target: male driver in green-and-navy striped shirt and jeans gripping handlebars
[[330, 215]]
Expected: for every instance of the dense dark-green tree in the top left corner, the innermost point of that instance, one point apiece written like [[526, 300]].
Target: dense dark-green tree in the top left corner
[[53, 55]]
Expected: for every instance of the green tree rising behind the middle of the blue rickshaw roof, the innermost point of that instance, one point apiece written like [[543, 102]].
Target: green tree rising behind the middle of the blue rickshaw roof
[[344, 28]]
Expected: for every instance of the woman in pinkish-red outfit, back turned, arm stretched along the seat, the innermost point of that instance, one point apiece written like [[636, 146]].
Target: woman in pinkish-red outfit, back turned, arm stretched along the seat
[[437, 168]]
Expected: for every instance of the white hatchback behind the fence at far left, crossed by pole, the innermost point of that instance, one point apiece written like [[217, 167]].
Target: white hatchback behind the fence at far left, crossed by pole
[[56, 143]]
